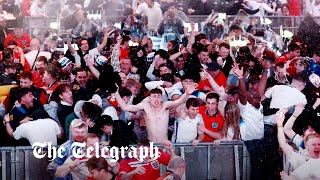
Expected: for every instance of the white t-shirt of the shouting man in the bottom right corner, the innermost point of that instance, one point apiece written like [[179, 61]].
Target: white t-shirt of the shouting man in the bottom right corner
[[308, 170]]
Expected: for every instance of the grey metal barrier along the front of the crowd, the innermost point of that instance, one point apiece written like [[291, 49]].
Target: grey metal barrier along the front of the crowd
[[230, 160]]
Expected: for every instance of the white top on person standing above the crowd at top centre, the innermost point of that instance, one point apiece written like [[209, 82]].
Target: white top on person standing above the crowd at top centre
[[154, 14]]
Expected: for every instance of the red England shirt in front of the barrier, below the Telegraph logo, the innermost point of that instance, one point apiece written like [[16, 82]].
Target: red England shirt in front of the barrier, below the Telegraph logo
[[152, 168]]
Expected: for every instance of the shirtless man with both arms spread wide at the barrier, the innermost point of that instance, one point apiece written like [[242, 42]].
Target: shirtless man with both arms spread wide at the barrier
[[157, 113]]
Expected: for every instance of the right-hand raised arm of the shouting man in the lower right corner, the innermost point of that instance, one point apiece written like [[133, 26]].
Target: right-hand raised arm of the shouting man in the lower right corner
[[289, 124]]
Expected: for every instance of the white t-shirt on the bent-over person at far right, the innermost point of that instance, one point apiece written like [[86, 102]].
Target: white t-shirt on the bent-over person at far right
[[285, 96]]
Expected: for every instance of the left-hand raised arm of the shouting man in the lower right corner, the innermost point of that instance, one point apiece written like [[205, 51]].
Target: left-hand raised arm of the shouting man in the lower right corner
[[286, 148]]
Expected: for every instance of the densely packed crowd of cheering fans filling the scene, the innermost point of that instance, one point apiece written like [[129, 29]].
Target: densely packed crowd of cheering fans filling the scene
[[115, 94]]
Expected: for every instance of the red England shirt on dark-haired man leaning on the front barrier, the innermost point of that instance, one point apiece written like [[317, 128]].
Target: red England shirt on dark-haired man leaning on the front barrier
[[212, 123]]
